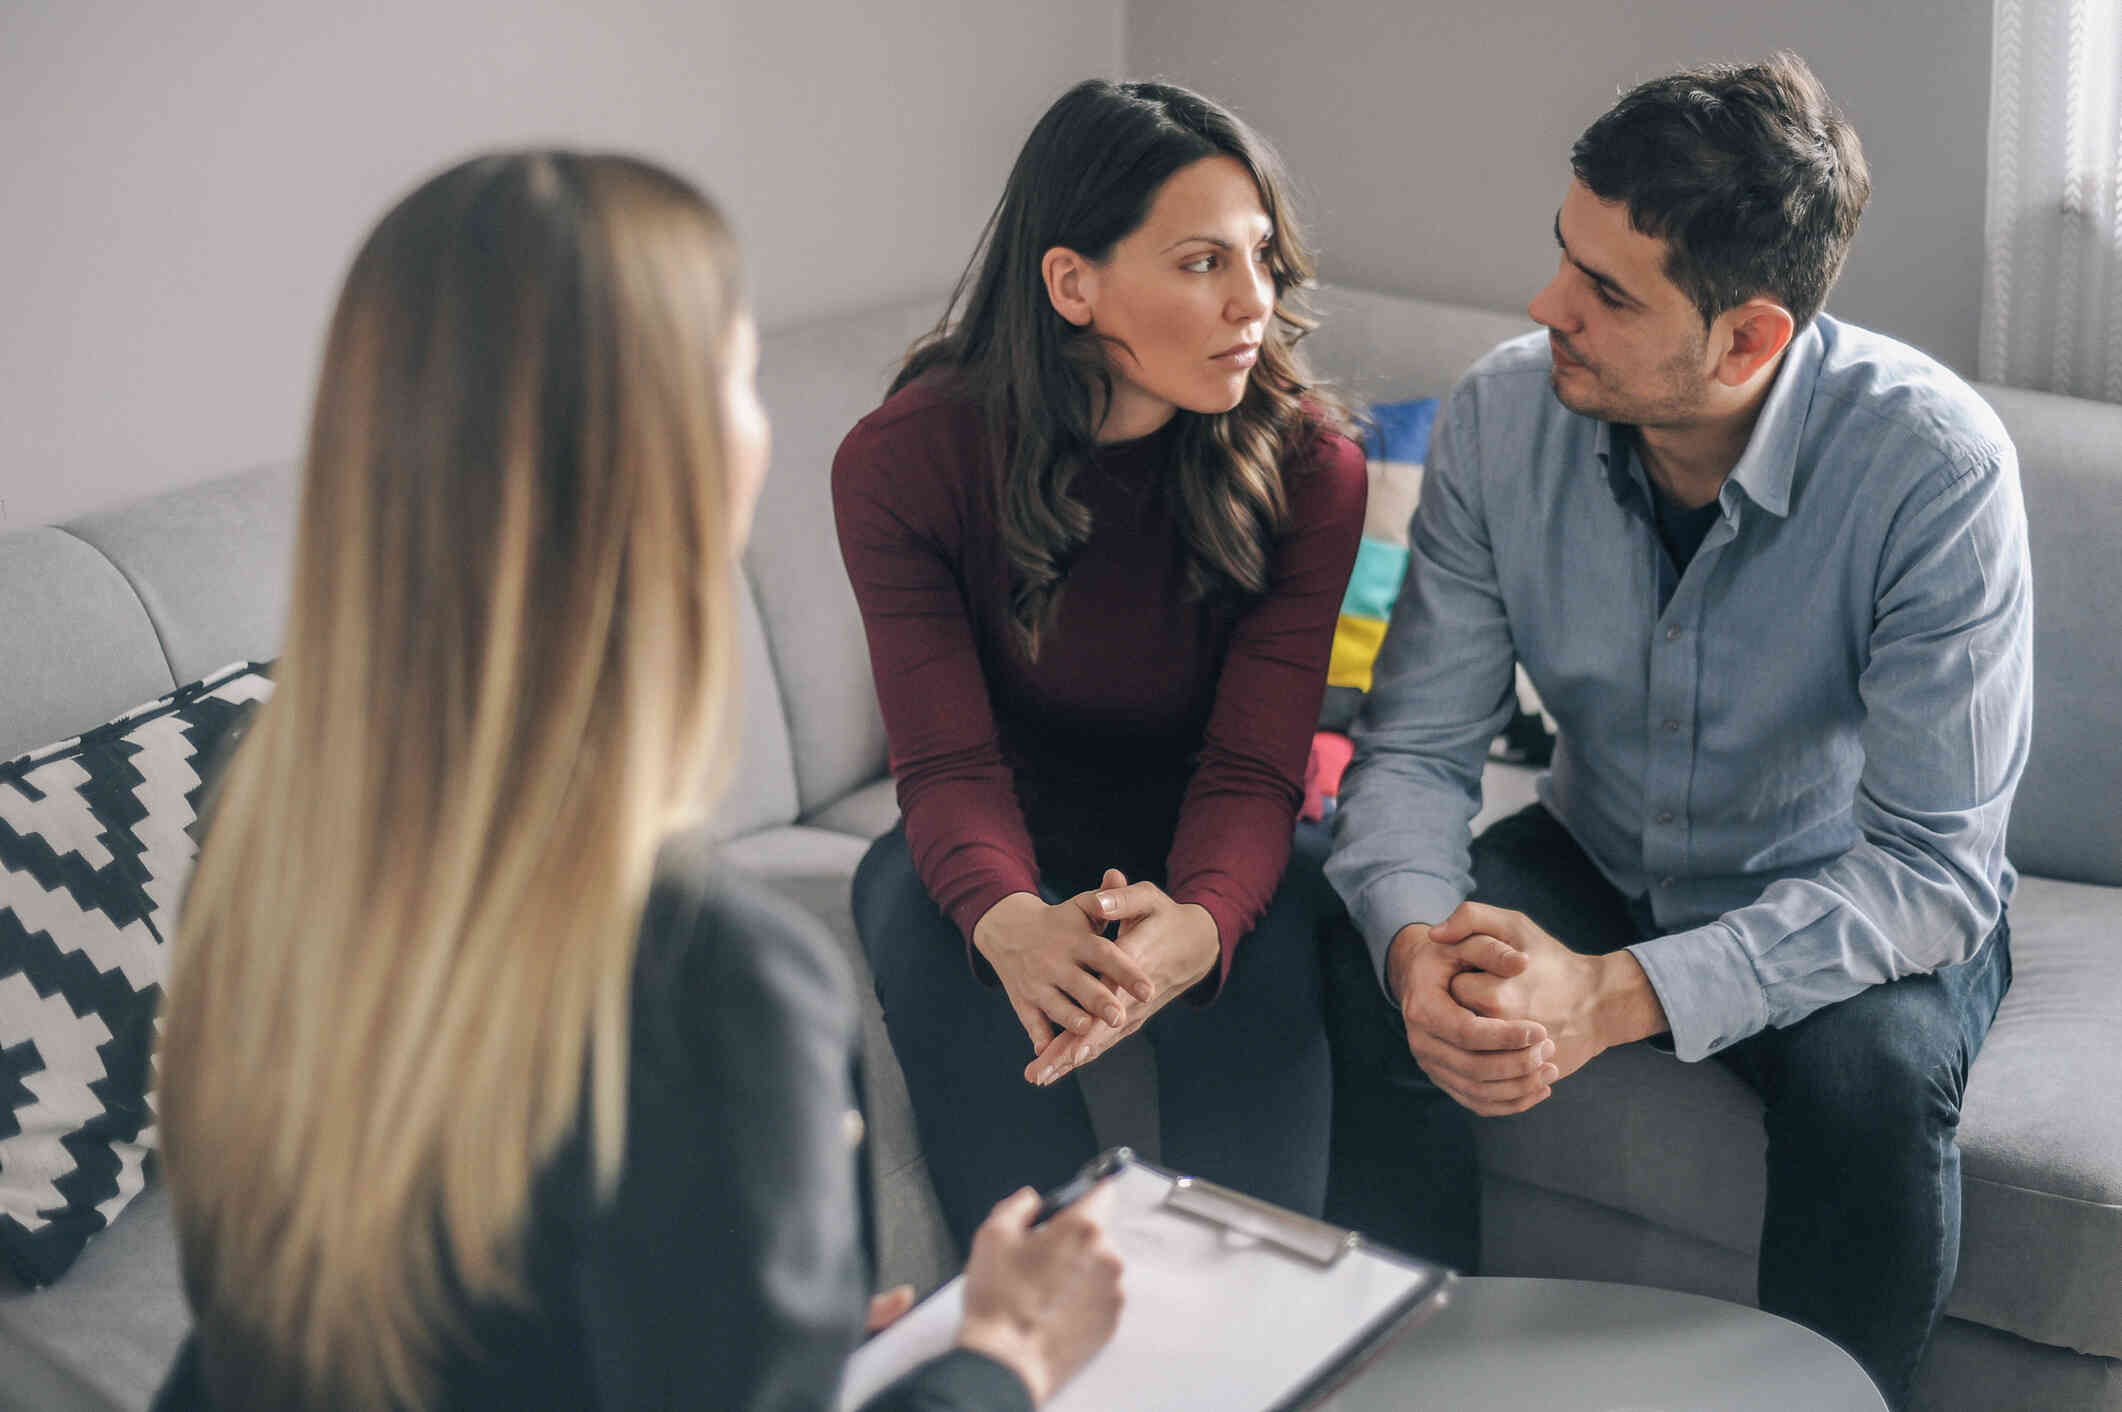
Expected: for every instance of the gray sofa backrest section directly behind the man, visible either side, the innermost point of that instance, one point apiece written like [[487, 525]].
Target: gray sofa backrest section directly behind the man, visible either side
[[2068, 816]]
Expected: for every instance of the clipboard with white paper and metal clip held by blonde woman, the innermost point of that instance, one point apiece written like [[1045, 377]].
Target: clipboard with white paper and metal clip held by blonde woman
[[1232, 1303]]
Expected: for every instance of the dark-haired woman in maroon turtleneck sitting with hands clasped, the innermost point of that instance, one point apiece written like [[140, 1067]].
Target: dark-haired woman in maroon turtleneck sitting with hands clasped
[[1100, 536]]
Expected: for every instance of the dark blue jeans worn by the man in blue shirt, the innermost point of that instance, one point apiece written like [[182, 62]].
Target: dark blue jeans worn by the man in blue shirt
[[1862, 1103]]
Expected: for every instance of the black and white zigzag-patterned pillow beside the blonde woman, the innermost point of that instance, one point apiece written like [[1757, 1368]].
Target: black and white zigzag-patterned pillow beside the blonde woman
[[94, 853]]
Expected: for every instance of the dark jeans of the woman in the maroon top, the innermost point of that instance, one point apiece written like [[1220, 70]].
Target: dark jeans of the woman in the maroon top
[[1242, 1086]]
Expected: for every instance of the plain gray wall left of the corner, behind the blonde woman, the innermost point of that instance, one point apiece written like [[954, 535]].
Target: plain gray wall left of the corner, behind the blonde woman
[[186, 184]]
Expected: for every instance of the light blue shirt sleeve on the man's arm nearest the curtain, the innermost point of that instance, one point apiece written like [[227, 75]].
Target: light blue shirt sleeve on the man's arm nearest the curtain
[[1947, 693]]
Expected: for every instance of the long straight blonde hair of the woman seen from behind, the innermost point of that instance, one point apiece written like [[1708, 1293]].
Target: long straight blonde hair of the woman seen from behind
[[404, 965]]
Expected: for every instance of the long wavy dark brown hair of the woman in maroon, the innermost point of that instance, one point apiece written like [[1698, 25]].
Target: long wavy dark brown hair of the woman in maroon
[[1085, 179]]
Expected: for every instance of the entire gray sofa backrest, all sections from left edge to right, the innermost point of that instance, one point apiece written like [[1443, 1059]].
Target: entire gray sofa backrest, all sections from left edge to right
[[120, 606]]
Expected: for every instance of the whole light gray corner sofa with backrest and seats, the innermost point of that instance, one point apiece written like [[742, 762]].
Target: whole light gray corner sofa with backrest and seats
[[1641, 1169]]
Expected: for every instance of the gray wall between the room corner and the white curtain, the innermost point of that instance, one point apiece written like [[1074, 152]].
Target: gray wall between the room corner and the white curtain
[[1433, 139]]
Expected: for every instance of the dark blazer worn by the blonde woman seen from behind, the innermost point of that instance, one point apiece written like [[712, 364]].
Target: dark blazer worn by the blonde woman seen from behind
[[729, 1267]]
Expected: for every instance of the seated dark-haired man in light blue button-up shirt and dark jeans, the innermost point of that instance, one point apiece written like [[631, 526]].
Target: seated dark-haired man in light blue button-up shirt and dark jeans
[[1769, 574]]
